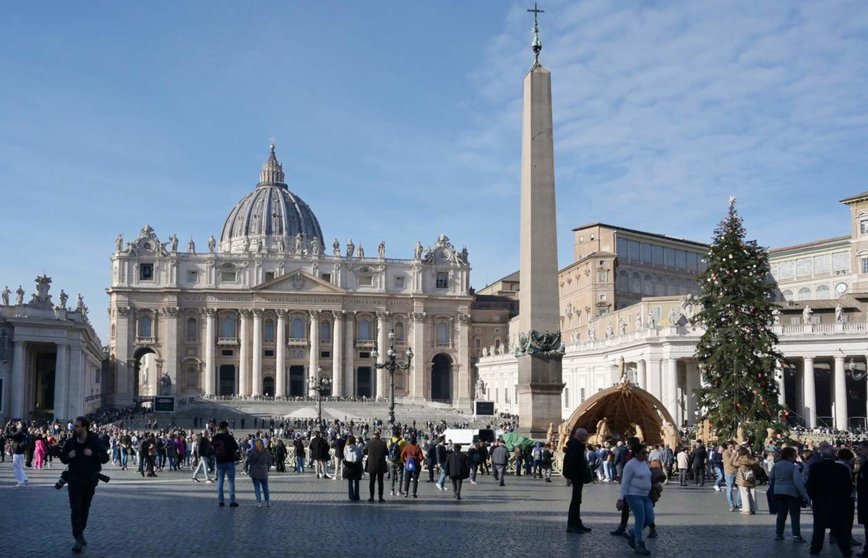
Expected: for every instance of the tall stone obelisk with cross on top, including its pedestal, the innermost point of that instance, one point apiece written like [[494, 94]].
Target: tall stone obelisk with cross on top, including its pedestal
[[539, 351]]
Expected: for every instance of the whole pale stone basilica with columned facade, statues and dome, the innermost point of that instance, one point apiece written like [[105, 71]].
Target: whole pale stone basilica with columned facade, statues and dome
[[269, 310]]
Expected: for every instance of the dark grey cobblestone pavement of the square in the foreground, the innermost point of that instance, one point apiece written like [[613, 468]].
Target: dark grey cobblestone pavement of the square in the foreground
[[173, 516]]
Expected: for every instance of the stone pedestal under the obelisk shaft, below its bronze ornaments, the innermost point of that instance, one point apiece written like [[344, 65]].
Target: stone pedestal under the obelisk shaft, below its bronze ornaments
[[539, 393]]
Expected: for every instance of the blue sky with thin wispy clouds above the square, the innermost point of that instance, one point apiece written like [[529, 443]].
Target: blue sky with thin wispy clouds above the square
[[401, 122]]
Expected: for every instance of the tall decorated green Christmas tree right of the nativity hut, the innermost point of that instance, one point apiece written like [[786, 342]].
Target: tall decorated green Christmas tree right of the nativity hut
[[737, 354]]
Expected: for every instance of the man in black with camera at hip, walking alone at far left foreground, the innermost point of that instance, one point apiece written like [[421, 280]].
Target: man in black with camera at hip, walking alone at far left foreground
[[84, 453]]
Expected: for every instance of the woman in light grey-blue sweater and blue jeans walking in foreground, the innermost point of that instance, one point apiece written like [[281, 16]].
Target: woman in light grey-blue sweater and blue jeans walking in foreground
[[635, 491]]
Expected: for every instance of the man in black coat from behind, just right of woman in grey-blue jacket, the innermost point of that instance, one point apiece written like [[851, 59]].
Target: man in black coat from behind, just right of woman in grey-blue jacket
[[829, 486]]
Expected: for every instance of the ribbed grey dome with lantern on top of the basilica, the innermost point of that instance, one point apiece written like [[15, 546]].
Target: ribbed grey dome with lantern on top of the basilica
[[271, 218]]
